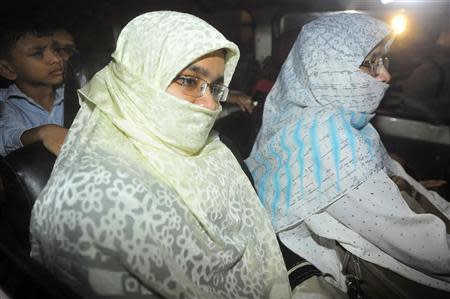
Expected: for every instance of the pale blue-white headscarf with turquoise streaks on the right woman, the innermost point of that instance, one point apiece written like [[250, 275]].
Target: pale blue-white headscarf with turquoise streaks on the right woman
[[316, 142]]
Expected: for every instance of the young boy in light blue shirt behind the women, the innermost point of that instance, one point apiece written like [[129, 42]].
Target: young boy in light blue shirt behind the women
[[31, 108]]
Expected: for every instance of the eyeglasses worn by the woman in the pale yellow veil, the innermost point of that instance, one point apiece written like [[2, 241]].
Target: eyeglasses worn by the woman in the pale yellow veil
[[196, 87]]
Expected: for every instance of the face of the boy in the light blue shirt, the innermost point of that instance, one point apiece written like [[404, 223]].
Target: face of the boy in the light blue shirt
[[33, 61]]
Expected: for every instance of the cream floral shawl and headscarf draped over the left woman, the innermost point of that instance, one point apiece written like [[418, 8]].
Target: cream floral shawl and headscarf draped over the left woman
[[144, 199]]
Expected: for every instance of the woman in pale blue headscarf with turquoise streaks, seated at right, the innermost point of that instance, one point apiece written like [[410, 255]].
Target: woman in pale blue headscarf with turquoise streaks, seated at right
[[334, 195]]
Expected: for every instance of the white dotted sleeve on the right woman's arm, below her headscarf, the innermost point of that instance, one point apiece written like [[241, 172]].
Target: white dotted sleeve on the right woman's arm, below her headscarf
[[377, 211]]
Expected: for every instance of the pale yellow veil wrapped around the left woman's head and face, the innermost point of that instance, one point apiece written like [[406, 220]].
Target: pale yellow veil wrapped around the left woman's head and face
[[131, 90]]
